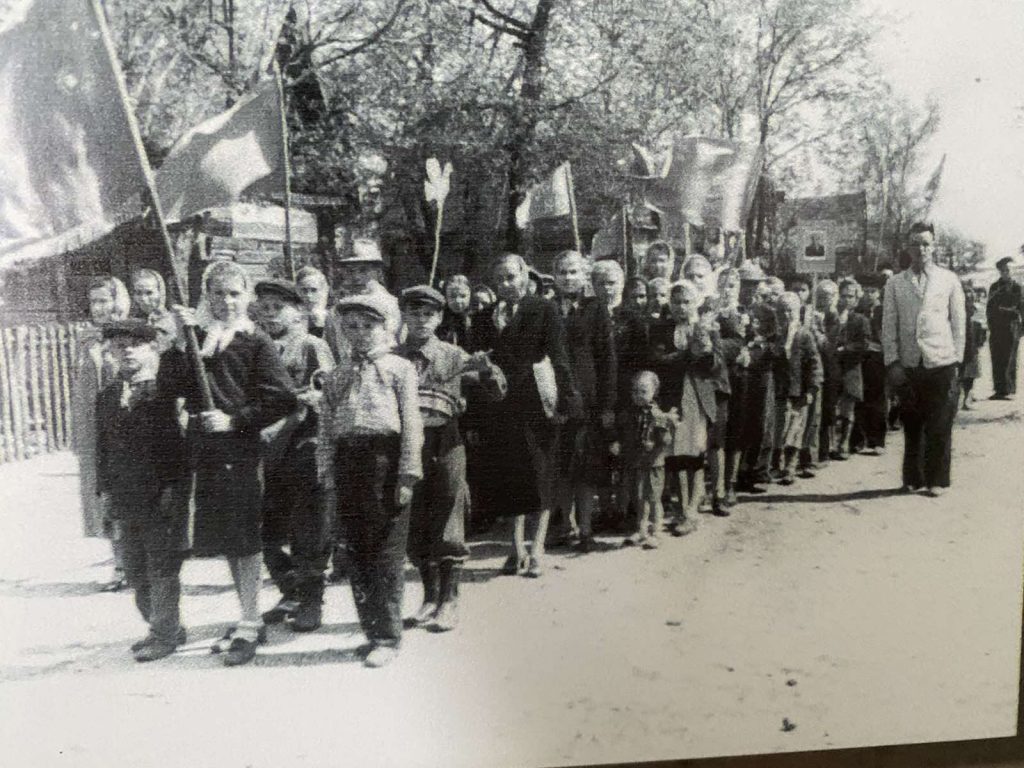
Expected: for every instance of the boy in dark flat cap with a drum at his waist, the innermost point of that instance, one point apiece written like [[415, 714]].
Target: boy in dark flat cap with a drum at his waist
[[438, 539]]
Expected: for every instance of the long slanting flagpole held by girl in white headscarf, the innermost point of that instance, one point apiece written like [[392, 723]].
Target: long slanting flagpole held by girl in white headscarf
[[178, 285]]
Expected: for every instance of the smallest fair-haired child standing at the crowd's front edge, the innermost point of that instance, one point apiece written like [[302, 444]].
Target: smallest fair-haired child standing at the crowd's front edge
[[645, 436]]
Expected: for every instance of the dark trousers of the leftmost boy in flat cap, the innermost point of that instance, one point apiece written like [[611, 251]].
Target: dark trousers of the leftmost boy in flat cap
[[155, 546]]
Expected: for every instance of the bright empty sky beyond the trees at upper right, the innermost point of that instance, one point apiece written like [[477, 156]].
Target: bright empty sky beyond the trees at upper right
[[969, 55]]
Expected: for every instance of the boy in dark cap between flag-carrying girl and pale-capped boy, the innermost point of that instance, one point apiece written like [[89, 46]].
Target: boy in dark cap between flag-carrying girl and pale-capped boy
[[296, 528]]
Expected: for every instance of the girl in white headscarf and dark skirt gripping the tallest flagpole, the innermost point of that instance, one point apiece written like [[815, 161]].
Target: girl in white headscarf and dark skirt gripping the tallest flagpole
[[251, 391]]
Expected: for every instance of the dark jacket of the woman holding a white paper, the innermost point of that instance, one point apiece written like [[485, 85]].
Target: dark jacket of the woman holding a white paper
[[535, 332]]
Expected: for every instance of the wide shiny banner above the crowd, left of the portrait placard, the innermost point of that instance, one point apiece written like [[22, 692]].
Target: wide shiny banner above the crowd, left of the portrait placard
[[706, 182]]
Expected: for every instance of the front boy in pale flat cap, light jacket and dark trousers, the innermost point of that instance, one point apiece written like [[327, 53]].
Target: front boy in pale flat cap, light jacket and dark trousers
[[371, 438]]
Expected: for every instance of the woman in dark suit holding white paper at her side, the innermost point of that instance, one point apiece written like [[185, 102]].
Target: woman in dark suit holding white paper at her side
[[519, 436]]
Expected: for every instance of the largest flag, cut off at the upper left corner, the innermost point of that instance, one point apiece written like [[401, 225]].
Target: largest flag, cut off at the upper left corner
[[69, 170]]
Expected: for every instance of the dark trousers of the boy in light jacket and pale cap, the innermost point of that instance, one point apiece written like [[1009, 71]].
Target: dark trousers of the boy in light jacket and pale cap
[[376, 532]]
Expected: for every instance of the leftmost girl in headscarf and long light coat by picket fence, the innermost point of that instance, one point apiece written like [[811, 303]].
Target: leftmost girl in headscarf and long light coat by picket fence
[[96, 369]]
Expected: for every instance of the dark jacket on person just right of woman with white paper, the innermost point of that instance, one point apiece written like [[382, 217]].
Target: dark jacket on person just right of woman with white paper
[[590, 344]]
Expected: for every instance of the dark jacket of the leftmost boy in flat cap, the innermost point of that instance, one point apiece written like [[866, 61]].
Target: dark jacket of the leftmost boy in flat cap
[[140, 450]]
